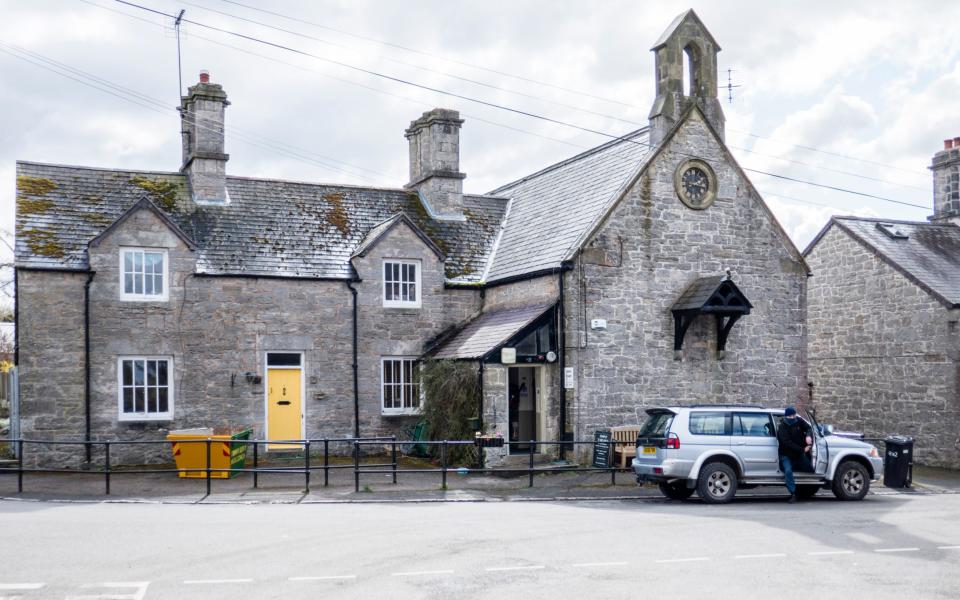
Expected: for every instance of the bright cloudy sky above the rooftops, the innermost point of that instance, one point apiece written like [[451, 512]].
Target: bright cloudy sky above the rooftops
[[853, 95]]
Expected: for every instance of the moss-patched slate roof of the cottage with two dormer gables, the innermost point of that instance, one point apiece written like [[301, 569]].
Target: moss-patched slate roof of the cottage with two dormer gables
[[269, 228]]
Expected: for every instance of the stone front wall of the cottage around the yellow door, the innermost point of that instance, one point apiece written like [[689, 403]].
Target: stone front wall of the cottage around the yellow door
[[218, 329]]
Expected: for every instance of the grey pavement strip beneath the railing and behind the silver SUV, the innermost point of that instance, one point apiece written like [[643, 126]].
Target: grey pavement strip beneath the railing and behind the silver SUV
[[291, 488]]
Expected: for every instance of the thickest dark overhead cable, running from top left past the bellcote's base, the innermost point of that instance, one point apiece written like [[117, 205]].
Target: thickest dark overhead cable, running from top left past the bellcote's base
[[488, 103]]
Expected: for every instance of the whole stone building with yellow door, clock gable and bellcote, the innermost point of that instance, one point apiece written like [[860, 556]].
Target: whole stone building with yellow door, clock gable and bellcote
[[647, 270]]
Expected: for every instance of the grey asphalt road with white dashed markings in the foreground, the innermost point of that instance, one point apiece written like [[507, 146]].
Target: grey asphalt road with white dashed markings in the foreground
[[894, 546]]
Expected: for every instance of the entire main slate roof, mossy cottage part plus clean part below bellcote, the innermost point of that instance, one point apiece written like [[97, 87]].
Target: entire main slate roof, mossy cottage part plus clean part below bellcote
[[294, 229]]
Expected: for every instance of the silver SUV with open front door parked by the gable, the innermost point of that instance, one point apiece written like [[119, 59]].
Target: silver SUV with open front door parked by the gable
[[715, 449]]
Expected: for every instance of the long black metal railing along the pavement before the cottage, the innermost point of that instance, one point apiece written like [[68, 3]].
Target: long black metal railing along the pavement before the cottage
[[310, 447]]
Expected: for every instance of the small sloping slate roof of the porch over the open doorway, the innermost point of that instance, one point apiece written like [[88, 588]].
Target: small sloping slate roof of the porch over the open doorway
[[488, 331]]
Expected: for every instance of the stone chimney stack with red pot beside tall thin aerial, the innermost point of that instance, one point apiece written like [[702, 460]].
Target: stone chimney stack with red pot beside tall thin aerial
[[204, 161]]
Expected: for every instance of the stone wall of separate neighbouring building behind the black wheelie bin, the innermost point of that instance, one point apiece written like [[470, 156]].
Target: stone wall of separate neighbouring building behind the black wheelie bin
[[884, 354]]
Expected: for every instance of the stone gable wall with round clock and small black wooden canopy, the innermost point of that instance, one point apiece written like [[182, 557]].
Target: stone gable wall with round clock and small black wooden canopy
[[642, 258]]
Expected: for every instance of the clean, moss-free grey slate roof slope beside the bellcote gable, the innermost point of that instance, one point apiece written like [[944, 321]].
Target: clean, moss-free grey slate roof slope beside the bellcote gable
[[552, 210]]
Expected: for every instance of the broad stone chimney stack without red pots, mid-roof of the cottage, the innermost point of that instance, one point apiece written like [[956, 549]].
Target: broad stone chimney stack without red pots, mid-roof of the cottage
[[435, 162]]
